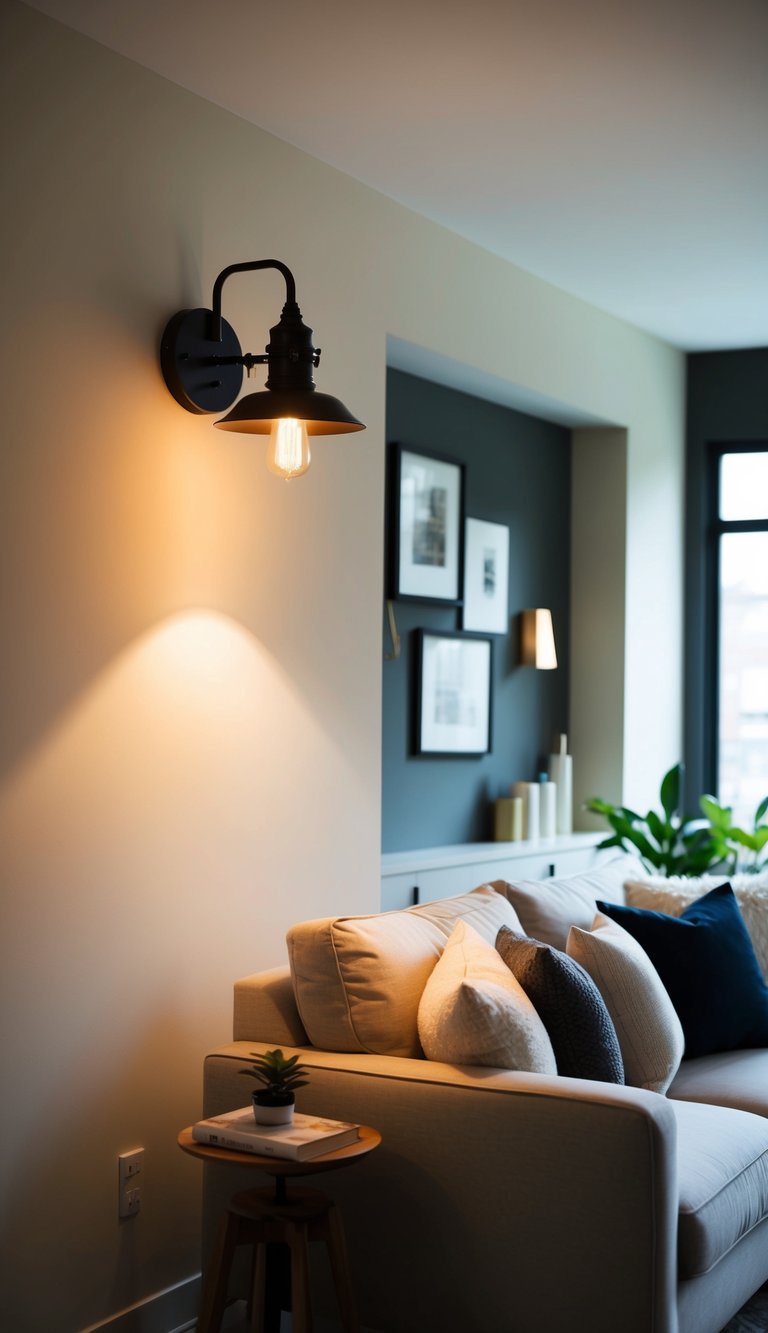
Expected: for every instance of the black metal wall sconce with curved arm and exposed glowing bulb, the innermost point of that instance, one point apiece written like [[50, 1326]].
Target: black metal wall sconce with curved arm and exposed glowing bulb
[[203, 367]]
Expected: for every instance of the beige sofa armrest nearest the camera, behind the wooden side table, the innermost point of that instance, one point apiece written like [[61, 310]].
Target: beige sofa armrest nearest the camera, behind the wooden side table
[[498, 1200]]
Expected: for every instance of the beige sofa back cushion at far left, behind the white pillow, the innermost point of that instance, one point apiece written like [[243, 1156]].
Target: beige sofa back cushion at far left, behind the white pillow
[[359, 980]]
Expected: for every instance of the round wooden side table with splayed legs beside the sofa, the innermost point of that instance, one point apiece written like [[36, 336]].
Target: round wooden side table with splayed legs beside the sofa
[[273, 1216]]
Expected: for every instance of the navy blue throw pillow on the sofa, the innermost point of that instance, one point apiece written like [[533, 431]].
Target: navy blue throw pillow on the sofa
[[709, 966]]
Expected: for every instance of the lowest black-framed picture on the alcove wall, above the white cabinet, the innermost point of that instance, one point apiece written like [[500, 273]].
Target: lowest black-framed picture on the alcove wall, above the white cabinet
[[454, 696]]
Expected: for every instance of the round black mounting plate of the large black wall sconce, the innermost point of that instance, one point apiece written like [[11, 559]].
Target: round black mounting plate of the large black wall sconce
[[202, 374]]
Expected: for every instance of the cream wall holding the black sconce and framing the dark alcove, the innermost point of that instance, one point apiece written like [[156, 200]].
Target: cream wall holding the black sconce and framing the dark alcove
[[190, 744]]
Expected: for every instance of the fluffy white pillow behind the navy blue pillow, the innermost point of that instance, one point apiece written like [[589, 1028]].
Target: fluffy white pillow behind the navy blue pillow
[[678, 892]]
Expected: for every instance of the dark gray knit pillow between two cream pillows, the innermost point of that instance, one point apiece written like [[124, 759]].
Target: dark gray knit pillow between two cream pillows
[[570, 1006]]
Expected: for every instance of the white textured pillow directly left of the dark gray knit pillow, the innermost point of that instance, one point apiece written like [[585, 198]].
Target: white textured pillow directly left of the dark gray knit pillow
[[474, 1012]]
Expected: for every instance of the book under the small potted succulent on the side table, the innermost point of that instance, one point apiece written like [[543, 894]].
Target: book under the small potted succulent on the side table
[[306, 1138]]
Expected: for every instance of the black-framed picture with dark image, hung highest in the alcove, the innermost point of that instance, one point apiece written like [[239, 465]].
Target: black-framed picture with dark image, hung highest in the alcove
[[427, 527]]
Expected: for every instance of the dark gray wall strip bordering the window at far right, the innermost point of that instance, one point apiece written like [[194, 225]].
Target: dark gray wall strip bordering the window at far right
[[727, 403]]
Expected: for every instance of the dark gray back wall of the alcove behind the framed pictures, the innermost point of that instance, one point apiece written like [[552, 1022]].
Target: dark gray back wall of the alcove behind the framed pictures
[[518, 474]]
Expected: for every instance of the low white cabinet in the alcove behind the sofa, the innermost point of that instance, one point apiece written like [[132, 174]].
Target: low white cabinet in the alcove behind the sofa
[[441, 872]]
